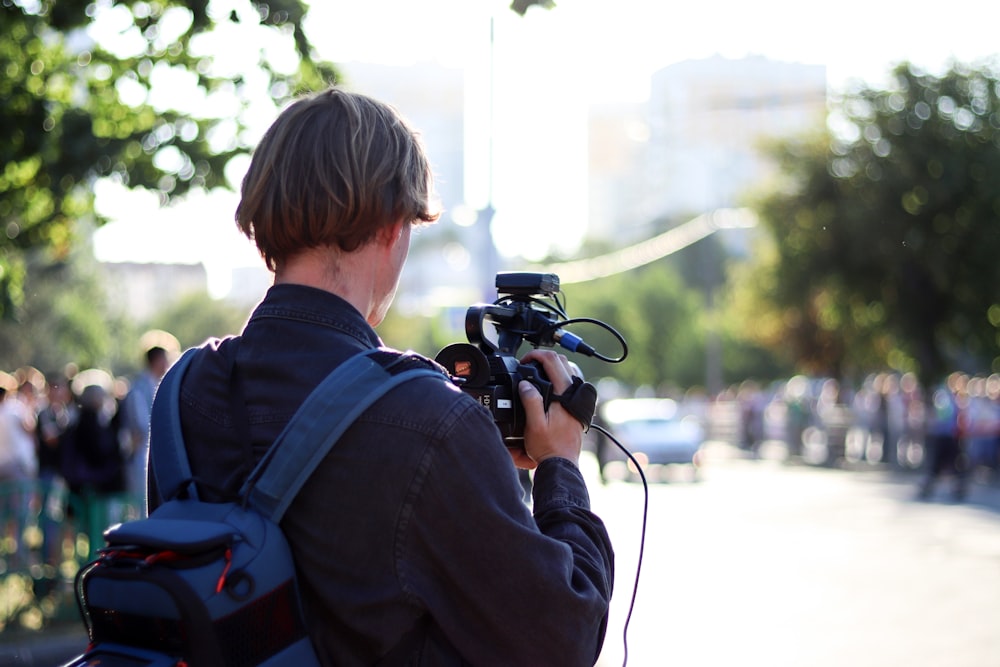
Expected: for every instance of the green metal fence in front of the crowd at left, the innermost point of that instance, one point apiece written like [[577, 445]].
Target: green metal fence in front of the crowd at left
[[46, 535]]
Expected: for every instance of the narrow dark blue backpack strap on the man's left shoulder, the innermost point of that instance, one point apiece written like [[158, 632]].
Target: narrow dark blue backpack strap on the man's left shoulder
[[168, 459]]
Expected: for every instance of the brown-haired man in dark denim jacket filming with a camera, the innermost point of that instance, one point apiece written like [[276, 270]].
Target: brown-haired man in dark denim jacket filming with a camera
[[412, 532]]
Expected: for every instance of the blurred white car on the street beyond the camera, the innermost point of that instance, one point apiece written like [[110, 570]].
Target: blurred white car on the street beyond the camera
[[654, 430]]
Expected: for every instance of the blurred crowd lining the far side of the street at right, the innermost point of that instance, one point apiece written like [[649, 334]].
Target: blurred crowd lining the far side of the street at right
[[953, 427]]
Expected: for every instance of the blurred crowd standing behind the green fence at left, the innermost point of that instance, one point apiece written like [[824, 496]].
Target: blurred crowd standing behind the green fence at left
[[69, 443]]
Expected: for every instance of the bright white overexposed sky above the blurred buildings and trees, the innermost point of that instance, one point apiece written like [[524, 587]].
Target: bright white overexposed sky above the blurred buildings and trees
[[549, 65]]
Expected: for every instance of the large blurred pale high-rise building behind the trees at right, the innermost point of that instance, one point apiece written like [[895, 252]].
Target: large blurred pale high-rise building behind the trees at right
[[699, 138]]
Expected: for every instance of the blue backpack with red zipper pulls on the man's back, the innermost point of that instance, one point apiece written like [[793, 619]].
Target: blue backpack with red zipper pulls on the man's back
[[199, 584]]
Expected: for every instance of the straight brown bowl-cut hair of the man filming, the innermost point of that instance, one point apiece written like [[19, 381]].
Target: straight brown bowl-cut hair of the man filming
[[333, 169]]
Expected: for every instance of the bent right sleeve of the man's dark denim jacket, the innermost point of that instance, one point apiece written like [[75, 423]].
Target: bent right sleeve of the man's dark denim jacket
[[502, 585]]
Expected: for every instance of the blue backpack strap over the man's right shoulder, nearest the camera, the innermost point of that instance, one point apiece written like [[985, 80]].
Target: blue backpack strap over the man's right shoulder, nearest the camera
[[322, 419]]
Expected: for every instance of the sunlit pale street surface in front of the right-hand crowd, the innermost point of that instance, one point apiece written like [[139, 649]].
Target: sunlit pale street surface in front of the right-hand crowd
[[767, 563]]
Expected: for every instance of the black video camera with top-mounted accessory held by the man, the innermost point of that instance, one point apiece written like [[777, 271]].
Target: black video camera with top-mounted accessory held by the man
[[527, 309]]
